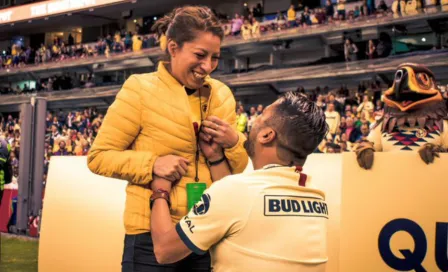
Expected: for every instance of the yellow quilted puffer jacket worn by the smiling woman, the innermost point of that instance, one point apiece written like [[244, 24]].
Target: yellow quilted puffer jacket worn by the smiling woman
[[151, 117]]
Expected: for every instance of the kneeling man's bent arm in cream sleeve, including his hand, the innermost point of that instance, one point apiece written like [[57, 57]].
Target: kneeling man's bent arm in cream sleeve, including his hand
[[209, 221]]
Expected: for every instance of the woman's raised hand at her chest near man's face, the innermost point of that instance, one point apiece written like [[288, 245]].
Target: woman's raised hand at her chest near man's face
[[221, 132]]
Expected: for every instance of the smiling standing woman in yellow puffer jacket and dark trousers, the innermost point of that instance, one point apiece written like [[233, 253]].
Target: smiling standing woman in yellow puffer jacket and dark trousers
[[151, 129]]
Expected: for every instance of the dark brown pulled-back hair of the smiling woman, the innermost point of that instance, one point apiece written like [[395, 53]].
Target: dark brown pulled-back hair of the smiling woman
[[182, 24]]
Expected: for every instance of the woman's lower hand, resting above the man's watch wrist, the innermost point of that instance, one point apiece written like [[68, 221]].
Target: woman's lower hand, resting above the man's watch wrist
[[171, 167]]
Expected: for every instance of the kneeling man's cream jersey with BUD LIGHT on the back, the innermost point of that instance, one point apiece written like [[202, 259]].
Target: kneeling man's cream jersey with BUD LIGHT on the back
[[260, 221]]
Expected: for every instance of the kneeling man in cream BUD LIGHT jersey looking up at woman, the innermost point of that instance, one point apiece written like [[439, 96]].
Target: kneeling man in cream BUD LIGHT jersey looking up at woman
[[270, 219]]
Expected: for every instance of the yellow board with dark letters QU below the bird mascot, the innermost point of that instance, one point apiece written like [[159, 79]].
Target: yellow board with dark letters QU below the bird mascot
[[394, 215]]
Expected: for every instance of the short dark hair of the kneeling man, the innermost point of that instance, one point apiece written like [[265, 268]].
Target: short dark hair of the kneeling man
[[300, 125]]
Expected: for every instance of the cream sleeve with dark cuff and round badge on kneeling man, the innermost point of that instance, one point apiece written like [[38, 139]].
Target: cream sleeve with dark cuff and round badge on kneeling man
[[215, 216]]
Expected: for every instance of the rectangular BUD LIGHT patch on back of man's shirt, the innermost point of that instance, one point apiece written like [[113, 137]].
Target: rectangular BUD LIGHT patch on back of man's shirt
[[284, 205]]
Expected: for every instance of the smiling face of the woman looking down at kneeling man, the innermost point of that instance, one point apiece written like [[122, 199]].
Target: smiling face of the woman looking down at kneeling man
[[195, 60]]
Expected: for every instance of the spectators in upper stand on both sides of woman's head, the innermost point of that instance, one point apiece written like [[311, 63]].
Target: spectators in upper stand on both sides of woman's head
[[251, 23]]
